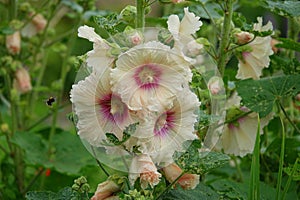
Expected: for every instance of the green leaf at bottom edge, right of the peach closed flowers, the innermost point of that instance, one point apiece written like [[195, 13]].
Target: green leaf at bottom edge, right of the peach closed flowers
[[202, 192]]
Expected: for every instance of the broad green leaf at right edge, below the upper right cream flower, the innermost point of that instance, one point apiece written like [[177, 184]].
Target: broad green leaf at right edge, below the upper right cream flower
[[260, 95]]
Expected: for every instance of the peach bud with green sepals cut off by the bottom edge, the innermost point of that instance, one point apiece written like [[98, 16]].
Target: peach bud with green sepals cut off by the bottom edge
[[105, 190]]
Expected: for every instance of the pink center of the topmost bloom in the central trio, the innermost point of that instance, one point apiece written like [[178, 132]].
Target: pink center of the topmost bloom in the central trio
[[147, 76]]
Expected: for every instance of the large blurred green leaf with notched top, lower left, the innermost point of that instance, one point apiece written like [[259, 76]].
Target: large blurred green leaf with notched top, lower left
[[69, 156]]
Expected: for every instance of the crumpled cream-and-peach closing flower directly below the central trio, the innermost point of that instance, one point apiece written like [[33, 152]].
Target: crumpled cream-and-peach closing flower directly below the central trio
[[143, 167]]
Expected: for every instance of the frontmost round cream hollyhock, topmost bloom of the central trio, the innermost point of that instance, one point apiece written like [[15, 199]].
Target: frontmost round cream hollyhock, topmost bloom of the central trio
[[149, 76]]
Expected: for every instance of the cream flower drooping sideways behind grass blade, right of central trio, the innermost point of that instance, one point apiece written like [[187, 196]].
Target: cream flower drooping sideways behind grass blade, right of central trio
[[239, 137]]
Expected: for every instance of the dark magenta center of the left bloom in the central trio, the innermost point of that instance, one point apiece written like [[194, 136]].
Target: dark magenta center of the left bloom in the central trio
[[112, 108]]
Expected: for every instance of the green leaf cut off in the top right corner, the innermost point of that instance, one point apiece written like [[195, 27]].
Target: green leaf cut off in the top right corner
[[283, 8]]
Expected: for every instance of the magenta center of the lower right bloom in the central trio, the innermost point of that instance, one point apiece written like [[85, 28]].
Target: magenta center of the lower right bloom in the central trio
[[164, 123]]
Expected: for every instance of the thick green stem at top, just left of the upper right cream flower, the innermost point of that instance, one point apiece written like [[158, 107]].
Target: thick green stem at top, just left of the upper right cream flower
[[225, 37]]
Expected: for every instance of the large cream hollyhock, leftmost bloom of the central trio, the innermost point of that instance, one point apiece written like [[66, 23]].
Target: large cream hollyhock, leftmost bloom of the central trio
[[99, 110]]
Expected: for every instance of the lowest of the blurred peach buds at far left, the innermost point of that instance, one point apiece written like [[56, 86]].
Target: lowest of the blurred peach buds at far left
[[22, 80]]
